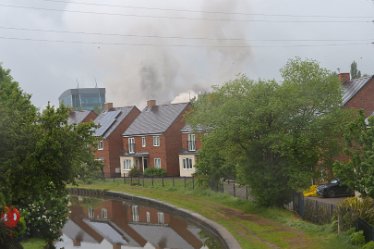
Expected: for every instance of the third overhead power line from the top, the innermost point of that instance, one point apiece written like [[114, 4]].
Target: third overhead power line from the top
[[175, 37]]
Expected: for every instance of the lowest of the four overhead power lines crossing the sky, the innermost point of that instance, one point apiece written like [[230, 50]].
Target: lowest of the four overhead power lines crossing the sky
[[99, 43]]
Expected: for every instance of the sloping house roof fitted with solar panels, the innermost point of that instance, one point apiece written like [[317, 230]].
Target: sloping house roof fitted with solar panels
[[108, 121]]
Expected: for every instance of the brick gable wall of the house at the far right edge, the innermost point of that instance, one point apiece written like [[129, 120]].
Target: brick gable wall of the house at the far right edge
[[364, 99]]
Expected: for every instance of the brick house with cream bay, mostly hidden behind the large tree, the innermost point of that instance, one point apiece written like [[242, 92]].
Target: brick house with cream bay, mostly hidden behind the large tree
[[191, 144]]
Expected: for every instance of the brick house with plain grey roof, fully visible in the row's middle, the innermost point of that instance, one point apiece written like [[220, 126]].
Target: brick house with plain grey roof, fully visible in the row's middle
[[153, 140]]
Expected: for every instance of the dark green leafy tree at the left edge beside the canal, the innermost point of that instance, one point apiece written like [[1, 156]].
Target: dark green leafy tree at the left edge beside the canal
[[39, 154]]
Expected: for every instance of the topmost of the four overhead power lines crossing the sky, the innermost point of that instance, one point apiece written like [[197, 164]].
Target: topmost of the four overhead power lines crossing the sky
[[201, 11]]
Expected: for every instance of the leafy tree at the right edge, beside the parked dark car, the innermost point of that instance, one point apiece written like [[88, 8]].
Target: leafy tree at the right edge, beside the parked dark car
[[358, 170]]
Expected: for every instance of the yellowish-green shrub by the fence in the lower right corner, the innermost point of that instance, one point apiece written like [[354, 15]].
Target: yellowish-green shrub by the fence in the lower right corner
[[353, 208]]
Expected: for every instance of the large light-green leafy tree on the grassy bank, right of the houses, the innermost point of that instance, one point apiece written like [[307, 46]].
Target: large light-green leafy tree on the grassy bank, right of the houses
[[273, 136]]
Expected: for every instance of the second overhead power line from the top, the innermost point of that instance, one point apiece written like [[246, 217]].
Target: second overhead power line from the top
[[181, 17]]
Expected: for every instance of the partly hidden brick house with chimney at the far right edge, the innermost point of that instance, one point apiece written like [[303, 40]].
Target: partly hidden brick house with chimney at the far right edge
[[358, 93]]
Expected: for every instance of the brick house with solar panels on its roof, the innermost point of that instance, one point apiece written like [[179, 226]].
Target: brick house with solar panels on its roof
[[112, 123]]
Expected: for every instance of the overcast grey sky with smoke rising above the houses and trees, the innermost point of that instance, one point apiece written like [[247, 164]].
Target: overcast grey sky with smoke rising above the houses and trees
[[160, 49]]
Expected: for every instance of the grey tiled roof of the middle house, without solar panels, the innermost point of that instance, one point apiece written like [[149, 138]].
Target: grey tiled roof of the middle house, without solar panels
[[155, 120]]
